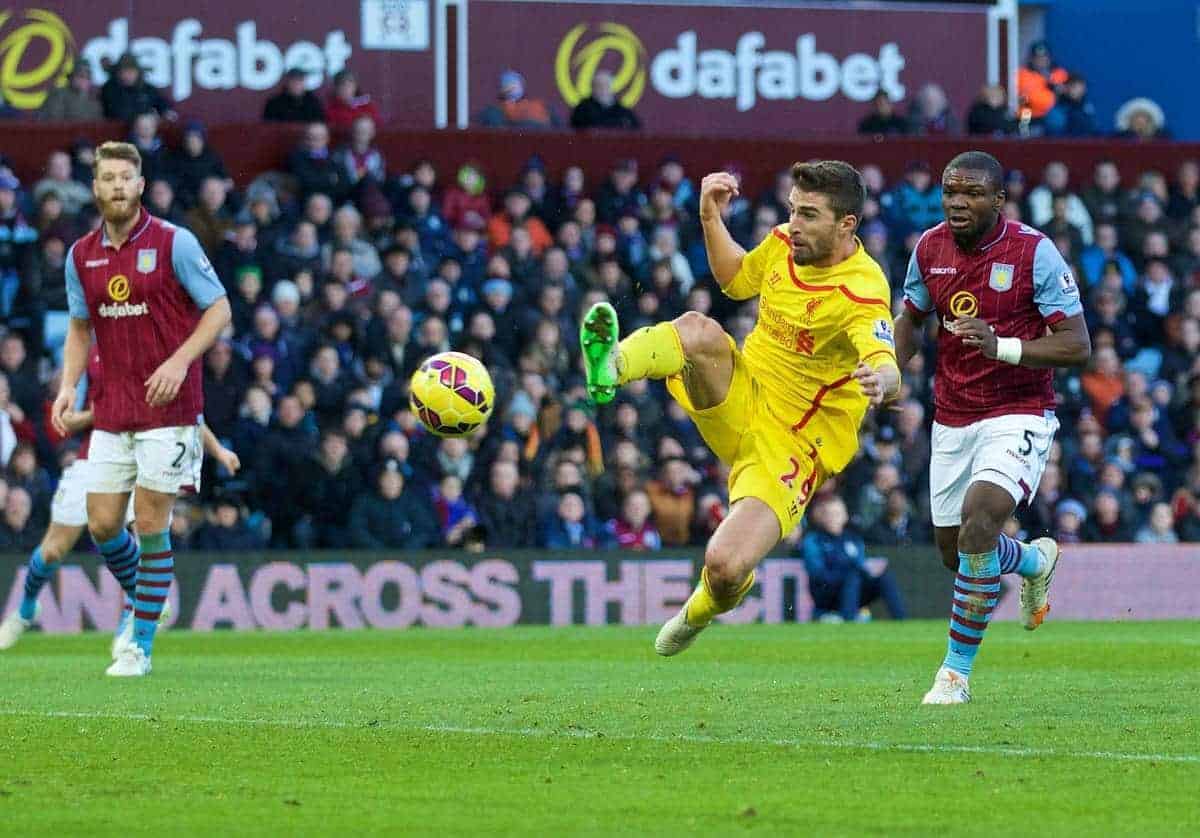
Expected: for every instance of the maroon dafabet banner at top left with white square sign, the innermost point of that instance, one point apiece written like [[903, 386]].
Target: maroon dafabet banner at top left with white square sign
[[220, 62]]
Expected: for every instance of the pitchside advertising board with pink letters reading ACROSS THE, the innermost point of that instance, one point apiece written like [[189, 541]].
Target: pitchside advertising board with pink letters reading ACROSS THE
[[322, 591]]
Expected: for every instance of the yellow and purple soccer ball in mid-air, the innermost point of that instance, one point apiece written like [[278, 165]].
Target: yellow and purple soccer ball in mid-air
[[452, 394]]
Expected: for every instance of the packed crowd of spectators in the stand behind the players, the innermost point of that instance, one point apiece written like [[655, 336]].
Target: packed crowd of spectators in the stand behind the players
[[347, 270]]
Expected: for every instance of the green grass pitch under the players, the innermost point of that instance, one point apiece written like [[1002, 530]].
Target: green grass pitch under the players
[[815, 731]]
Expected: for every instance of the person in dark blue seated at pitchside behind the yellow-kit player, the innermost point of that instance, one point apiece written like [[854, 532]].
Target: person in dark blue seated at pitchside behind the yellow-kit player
[[843, 580]]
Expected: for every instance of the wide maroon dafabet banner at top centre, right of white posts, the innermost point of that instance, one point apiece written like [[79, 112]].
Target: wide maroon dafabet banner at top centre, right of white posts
[[766, 70]]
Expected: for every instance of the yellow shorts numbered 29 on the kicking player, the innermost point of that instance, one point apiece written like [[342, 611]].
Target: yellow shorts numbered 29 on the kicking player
[[769, 462]]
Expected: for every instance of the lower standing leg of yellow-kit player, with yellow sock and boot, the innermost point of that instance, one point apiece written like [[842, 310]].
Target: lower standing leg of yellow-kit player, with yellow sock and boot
[[742, 541]]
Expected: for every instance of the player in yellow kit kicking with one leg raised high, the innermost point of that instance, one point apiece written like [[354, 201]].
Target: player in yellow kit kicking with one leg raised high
[[784, 411]]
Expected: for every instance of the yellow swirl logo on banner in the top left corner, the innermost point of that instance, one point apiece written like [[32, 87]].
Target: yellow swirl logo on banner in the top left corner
[[38, 52]]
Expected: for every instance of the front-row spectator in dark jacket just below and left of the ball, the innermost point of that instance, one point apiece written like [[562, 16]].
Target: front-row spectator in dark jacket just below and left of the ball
[[393, 518]]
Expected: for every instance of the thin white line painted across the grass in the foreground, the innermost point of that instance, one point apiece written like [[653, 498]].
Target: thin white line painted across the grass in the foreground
[[902, 747]]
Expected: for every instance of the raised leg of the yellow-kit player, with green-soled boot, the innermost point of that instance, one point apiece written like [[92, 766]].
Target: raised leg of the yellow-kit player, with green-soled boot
[[692, 344]]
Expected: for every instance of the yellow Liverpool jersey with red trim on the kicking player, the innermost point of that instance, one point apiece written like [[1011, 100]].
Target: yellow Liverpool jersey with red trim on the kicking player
[[815, 326]]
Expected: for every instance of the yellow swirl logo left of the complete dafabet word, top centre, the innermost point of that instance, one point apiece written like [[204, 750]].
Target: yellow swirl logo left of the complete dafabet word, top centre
[[579, 59]]
